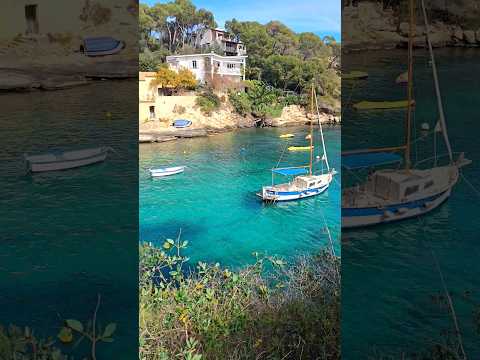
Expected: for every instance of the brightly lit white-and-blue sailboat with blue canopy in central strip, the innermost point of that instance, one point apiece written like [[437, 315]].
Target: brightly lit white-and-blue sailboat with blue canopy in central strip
[[304, 183]]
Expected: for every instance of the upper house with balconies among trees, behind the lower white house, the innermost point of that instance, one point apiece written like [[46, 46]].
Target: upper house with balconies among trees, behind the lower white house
[[231, 45]]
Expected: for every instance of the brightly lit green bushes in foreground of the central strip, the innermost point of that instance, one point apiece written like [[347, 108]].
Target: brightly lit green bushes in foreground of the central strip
[[268, 310]]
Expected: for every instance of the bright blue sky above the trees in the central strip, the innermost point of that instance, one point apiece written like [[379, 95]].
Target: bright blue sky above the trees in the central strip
[[319, 16]]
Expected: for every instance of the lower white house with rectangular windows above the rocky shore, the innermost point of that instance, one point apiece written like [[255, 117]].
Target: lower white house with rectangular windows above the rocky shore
[[212, 69]]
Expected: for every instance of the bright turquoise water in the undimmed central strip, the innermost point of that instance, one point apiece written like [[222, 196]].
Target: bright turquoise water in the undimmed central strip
[[214, 203]]
